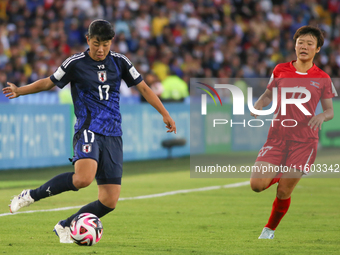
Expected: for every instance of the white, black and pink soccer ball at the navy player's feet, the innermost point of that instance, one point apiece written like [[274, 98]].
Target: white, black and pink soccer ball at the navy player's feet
[[86, 229]]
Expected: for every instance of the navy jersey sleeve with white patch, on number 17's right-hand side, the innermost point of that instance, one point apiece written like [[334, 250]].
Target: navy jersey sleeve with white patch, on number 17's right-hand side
[[129, 73]]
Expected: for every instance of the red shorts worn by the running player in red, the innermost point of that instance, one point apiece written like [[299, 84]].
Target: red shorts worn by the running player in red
[[289, 153]]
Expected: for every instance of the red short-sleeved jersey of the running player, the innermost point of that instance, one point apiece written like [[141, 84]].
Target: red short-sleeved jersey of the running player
[[320, 86]]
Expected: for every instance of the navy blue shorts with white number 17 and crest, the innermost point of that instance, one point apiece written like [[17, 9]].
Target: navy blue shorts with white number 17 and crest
[[106, 150]]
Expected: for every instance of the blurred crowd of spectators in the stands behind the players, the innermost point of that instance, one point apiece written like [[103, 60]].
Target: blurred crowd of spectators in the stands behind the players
[[168, 41]]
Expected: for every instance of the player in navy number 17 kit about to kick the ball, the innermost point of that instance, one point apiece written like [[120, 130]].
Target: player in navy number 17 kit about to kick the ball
[[95, 76]]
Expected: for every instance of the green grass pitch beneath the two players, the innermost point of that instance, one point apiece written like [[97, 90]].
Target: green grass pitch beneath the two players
[[220, 221]]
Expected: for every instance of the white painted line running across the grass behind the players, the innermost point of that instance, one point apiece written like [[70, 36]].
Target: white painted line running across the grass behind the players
[[169, 193]]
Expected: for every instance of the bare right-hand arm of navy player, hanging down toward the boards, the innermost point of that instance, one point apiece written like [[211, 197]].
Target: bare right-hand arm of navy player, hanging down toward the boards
[[153, 99]]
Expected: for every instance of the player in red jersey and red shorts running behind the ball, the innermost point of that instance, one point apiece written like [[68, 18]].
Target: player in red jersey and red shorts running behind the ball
[[292, 138]]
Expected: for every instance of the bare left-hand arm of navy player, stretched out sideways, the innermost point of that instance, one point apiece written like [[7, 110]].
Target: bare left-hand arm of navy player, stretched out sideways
[[40, 85]]
